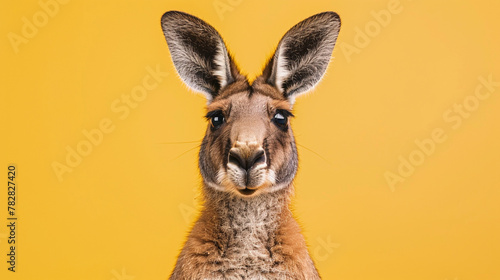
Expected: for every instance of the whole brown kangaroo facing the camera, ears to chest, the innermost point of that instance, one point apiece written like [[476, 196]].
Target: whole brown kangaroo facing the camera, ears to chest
[[248, 157]]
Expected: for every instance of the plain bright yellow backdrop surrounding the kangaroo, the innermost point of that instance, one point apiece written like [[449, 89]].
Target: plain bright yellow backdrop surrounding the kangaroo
[[124, 211]]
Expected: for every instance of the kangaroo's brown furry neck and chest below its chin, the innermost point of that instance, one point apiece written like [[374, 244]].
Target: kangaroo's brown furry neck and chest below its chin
[[213, 247]]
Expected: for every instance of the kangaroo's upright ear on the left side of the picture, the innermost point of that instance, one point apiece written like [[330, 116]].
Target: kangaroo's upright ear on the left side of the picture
[[198, 52]]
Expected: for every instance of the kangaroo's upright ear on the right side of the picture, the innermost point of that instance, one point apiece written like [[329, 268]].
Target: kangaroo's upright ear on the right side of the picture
[[303, 54]]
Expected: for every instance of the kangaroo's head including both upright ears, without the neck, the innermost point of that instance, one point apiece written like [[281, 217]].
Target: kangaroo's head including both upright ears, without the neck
[[249, 146]]
